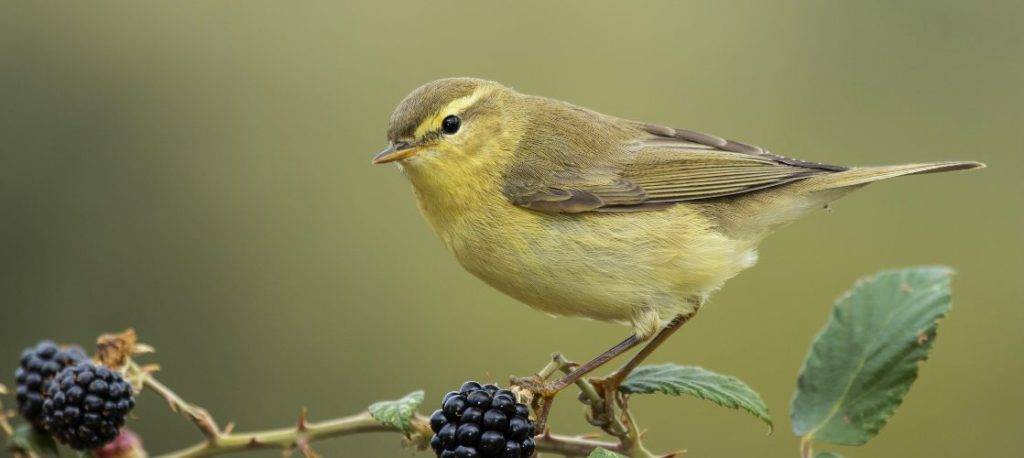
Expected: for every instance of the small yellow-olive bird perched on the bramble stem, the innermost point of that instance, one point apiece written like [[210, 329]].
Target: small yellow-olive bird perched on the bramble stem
[[579, 214]]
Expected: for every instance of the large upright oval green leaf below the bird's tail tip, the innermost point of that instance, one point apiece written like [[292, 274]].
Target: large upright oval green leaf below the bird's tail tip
[[862, 365]]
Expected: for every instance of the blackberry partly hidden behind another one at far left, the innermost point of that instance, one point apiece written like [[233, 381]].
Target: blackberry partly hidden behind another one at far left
[[39, 365]]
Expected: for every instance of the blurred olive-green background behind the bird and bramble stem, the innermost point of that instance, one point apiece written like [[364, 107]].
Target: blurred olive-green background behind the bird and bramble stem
[[200, 172]]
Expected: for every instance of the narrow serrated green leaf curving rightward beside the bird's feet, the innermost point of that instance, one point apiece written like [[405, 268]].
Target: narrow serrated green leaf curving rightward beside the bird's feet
[[674, 380]]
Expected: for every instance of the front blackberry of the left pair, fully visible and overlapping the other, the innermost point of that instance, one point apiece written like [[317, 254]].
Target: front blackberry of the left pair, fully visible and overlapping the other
[[87, 406]]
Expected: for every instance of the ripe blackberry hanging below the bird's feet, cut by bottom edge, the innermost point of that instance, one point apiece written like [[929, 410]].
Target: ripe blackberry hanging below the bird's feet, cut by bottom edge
[[482, 422]]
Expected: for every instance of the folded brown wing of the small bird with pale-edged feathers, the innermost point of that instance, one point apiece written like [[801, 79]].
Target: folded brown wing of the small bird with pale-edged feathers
[[660, 169]]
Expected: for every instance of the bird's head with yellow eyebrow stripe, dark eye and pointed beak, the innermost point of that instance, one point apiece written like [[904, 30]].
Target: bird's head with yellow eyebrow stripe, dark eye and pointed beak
[[454, 126]]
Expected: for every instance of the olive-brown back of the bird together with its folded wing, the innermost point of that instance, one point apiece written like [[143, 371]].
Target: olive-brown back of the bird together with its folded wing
[[575, 160]]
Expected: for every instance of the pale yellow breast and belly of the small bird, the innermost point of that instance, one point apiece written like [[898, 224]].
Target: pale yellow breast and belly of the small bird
[[612, 267]]
